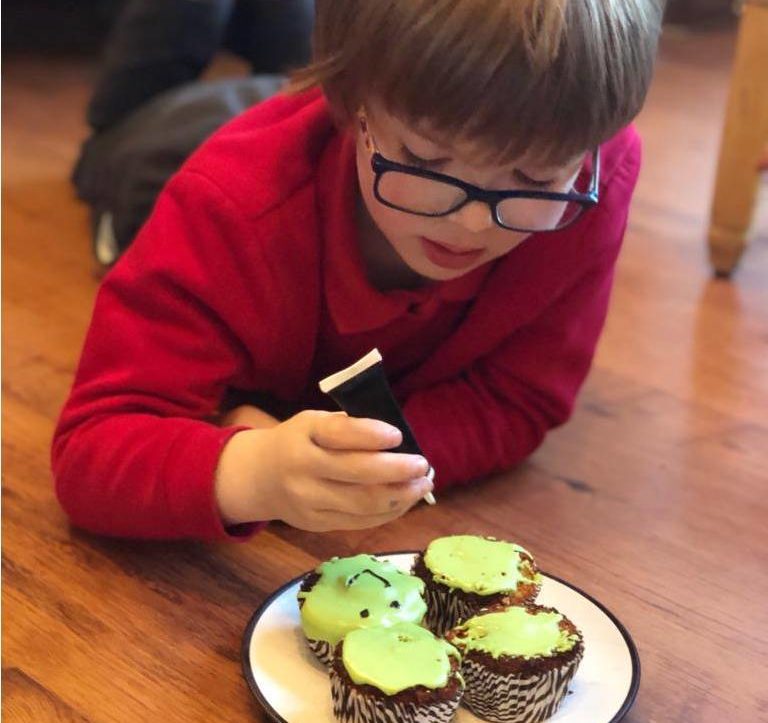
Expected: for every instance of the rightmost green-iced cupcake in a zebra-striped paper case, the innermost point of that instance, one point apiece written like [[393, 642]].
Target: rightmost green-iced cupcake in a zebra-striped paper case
[[517, 662]]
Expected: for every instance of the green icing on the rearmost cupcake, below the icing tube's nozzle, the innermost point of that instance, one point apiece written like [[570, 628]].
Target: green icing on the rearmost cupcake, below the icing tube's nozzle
[[478, 564]]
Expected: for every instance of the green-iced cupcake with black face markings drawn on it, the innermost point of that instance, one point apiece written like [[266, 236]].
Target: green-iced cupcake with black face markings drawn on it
[[356, 592]]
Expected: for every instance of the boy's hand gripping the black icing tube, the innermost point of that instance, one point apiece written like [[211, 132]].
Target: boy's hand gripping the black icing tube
[[320, 471]]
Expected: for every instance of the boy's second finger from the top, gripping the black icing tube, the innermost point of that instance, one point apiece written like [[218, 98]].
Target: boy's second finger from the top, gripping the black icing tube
[[371, 468]]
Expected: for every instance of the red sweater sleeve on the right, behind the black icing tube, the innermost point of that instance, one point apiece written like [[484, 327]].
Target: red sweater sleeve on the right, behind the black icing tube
[[499, 410]]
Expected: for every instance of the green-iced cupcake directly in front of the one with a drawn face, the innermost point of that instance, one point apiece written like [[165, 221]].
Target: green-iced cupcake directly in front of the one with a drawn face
[[401, 673]]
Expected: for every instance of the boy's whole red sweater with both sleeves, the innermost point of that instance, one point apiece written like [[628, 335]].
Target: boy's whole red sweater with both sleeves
[[247, 276]]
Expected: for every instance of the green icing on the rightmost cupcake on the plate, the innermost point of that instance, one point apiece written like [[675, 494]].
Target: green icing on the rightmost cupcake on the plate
[[515, 631]]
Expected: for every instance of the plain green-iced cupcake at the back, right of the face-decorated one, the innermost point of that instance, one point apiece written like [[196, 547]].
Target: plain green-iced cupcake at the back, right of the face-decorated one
[[465, 573]]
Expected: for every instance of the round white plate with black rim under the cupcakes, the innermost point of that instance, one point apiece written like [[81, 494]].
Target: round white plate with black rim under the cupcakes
[[293, 687]]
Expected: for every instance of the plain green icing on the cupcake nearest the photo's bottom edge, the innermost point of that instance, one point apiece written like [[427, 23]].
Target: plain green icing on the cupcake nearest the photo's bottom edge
[[399, 657]]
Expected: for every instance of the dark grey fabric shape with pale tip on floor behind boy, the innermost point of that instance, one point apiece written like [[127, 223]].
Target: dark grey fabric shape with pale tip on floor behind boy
[[121, 170]]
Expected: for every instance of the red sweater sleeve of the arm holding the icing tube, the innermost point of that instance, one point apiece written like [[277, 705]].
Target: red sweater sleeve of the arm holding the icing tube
[[133, 454]]
